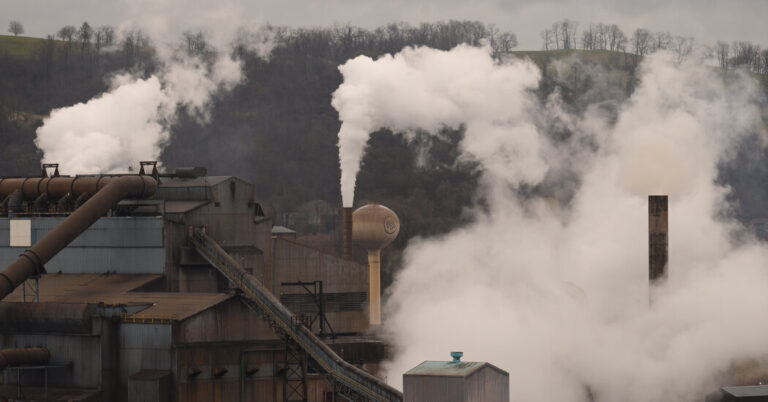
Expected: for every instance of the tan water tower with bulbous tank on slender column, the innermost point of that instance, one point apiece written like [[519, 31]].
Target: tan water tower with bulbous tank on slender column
[[374, 226]]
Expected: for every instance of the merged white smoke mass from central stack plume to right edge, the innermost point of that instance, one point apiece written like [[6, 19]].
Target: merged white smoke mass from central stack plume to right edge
[[560, 298]]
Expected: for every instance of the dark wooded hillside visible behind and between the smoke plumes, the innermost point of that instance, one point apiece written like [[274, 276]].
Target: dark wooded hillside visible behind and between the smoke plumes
[[278, 129]]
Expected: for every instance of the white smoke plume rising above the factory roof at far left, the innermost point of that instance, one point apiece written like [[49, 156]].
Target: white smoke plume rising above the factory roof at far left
[[131, 122]]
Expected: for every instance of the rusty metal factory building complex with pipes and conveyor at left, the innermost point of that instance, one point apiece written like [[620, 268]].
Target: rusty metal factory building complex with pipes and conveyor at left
[[181, 293]]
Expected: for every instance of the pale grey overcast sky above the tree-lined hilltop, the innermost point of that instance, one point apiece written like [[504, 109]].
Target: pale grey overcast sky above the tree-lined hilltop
[[706, 20]]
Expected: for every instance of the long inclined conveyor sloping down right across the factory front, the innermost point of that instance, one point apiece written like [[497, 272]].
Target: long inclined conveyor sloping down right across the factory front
[[350, 382]]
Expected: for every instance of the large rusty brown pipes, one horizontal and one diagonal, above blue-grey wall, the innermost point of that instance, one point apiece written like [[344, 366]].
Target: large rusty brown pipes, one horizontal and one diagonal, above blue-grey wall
[[107, 191]]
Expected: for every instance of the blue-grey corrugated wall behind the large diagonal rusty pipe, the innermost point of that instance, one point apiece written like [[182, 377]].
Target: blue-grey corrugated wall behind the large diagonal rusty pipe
[[126, 245]]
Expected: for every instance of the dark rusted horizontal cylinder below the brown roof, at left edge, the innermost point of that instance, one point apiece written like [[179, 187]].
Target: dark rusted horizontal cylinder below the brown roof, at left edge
[[46, 317]]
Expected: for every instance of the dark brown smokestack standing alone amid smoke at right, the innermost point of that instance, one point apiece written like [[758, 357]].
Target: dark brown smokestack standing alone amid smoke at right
[[658, 238]]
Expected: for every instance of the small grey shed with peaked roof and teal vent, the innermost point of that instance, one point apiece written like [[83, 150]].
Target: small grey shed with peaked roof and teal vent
[[456, 381]]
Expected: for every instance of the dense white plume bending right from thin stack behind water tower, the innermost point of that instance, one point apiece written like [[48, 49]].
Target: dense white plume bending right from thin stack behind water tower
[[423, 88]]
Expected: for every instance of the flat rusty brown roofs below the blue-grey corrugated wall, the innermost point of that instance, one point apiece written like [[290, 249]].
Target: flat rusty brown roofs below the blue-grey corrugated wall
[[116, 289]]
